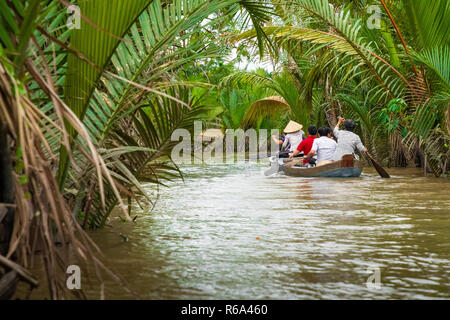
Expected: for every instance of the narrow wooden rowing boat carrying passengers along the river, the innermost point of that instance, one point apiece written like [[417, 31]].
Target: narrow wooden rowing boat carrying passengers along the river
[[348, 167]]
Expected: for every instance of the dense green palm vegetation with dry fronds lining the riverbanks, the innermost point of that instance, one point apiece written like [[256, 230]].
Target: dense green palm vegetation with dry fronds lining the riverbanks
[[87, 113]]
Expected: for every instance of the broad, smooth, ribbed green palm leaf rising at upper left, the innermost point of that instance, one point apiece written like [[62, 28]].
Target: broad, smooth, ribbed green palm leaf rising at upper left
[[112, 23]]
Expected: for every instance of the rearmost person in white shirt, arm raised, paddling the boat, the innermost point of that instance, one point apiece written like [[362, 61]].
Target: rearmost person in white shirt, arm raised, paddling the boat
[[347, 141]]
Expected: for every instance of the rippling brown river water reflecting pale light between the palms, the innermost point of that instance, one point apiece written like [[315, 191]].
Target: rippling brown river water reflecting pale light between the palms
[[229, 232]]
